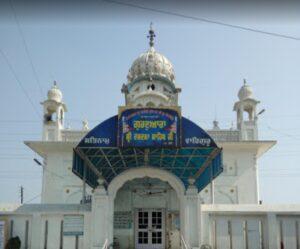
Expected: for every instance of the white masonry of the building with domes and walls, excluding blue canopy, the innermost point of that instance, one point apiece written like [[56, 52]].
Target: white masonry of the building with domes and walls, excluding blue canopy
[[226, 214]]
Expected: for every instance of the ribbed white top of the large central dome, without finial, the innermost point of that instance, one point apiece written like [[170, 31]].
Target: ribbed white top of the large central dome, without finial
[[151, 64]]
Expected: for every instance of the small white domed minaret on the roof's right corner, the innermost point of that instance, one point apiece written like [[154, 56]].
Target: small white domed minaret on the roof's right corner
[[246, 124]]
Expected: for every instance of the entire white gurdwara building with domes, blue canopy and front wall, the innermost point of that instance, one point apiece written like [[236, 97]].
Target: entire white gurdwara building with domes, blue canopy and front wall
[[149, 178]]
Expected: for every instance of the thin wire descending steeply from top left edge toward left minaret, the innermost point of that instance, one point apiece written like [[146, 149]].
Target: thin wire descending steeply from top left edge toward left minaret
[[26, 48]]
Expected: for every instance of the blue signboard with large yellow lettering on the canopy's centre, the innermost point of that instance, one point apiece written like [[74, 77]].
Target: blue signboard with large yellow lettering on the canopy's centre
[[149, 127]]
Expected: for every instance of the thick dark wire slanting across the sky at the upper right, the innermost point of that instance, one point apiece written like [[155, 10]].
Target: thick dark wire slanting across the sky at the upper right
[[202, 19]]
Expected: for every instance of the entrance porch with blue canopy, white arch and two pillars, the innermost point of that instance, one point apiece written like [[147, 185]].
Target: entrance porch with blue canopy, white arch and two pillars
[[121, 149]]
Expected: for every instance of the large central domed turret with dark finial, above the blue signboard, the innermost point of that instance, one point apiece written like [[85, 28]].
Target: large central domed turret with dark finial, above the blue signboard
[[151, 80]]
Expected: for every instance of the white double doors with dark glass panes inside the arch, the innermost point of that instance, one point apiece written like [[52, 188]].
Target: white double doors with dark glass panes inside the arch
[[150, 229]]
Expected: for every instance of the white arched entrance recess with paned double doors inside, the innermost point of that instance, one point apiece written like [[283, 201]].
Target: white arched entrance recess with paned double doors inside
[[147, 207]]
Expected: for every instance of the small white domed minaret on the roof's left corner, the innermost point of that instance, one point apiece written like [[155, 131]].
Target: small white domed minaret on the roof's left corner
[[54, 112]]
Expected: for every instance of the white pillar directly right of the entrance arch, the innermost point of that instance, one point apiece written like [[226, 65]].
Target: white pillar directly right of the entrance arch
[[191, 212]]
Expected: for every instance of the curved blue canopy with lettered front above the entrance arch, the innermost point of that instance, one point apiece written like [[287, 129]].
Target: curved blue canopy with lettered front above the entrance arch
[[114, 146]]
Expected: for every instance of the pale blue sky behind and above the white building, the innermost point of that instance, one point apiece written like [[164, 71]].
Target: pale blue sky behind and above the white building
[[88, 50]]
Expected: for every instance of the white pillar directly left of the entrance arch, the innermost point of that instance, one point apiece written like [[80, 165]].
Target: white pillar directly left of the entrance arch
[[102, 217]]
